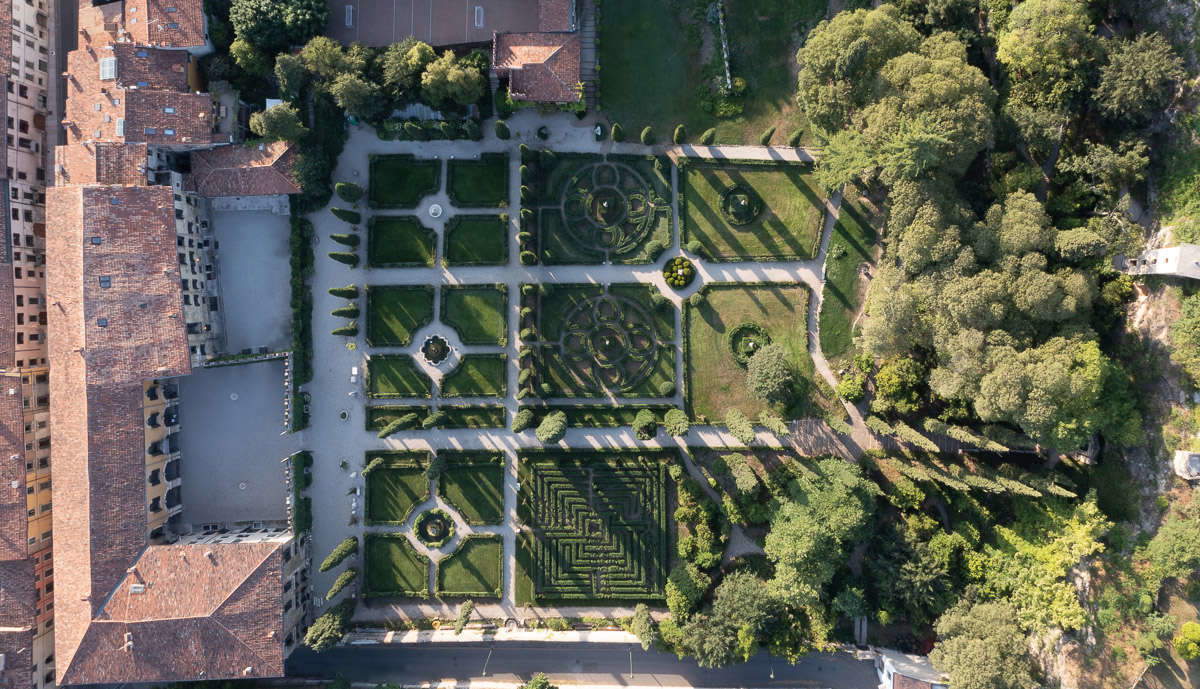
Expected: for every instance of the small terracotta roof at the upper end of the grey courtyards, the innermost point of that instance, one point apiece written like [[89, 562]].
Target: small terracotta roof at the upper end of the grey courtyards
[[262, 170]]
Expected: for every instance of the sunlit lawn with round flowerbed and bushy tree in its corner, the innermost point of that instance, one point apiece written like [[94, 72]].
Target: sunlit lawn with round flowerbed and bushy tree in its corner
[[716, 381]]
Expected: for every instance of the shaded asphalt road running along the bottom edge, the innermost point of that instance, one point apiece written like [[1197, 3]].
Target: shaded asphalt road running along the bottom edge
[[597, 664]]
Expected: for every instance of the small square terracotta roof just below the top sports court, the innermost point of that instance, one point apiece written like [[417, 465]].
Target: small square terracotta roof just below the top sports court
[[543, 68]]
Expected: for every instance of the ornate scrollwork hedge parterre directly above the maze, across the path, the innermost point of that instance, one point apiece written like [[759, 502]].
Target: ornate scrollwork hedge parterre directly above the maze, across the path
[[593, 341]]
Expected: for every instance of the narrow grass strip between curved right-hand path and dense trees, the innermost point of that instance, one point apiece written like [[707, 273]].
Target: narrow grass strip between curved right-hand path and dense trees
[[851, 245]]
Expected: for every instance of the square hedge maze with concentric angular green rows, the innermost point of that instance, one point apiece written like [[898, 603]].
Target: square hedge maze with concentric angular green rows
[[601, 523]]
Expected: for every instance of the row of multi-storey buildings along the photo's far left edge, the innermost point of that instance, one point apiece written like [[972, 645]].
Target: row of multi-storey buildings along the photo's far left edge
[[27, 584]]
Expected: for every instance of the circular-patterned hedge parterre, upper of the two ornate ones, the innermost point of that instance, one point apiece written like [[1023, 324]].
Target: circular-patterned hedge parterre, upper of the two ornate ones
[[591, 209]]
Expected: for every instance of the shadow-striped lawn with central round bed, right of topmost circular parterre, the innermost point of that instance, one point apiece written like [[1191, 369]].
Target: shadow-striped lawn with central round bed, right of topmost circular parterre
[[788, 229]]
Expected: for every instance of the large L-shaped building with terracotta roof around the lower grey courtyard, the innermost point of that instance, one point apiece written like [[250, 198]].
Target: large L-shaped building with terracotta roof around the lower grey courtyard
[[142, 600]]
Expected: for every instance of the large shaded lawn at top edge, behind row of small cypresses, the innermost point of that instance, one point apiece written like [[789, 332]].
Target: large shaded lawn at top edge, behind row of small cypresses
[[764, 37]]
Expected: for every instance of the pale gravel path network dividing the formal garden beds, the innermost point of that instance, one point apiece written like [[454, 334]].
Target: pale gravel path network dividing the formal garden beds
[[332, 441]]
